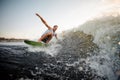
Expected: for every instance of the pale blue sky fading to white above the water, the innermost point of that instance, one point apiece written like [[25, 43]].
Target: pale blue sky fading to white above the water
[[18, 19]]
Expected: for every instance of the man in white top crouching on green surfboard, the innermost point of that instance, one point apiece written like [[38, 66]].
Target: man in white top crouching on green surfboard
[[48, 35]]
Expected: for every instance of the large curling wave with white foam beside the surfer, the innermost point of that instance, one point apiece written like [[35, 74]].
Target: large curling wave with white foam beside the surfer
[[98, 42]]
